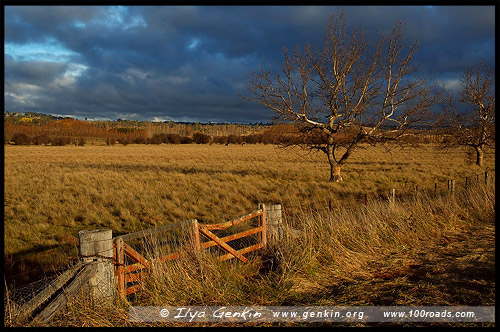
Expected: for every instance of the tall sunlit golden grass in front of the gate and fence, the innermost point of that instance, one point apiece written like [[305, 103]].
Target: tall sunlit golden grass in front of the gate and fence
[[330, 245]]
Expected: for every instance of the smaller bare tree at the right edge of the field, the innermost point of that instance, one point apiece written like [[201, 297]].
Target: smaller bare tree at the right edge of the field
[[475, 128]]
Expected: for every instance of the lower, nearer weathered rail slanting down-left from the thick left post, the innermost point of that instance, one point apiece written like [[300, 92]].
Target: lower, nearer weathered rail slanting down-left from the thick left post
[[80, 280]]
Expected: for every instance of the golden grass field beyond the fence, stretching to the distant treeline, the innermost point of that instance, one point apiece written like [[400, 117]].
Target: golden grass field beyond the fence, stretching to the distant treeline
[[53, 191]]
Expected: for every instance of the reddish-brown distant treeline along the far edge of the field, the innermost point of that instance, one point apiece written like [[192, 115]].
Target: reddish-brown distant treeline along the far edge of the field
[[75, 132]]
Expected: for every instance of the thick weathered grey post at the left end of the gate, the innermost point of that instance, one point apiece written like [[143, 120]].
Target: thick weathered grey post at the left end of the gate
[[97, 246]]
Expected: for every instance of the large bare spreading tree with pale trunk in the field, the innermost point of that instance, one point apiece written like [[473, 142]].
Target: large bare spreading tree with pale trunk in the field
[[346, 92]]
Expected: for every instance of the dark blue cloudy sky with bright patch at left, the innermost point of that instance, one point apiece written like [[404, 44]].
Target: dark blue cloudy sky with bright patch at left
[[191, 63]]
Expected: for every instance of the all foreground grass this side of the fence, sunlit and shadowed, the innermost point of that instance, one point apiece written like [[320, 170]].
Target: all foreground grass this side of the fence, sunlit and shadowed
[[428, 251]]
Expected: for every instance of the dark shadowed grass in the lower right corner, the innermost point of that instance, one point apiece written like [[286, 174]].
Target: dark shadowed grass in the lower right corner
[[457, 272]]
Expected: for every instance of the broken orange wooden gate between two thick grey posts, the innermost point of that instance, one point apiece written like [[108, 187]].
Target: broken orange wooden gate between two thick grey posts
[[131, 267]]
